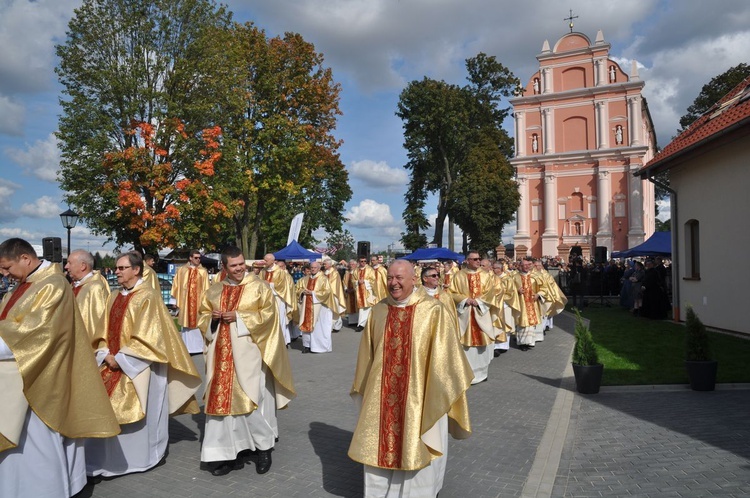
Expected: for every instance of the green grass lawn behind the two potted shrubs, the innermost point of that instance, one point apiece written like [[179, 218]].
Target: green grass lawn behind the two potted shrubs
[[642, 351]]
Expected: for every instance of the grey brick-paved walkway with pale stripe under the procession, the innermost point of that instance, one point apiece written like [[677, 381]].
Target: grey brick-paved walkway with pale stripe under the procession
[[532, 437]]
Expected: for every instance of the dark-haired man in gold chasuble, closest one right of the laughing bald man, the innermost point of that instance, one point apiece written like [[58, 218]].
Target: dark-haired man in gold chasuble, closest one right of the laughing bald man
[[473, 291]]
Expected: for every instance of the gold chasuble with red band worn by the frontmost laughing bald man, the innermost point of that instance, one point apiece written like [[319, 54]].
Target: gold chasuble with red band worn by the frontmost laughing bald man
[[411, 370]]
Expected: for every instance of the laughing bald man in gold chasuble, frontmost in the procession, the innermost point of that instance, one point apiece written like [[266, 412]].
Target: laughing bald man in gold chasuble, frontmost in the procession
[[411, 381]]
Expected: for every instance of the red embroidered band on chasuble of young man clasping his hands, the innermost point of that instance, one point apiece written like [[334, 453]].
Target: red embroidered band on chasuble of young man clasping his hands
[[219, 401]]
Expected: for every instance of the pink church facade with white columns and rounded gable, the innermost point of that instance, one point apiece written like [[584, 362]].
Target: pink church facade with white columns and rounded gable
[[582, 131]]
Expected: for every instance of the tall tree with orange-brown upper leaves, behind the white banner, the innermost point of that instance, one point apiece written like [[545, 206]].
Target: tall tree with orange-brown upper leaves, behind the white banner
[[277, 106]]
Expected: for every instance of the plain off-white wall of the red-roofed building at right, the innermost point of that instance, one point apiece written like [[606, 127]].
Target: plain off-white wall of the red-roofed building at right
[[712, 188]]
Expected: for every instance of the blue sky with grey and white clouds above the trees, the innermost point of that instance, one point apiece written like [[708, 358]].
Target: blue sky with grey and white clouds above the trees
[[374, 47]]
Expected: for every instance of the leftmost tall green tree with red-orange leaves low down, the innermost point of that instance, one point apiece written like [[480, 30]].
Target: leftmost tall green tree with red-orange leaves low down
[[121, 68]]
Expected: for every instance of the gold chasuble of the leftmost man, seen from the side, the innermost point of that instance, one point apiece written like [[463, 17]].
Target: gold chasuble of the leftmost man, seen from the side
[[54, 370]]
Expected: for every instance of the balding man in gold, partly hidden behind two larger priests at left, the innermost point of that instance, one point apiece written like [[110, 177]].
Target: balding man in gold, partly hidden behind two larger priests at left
[[91, 290]]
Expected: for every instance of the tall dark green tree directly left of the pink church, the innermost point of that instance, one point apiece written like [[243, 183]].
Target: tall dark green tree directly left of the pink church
[[443, 123]]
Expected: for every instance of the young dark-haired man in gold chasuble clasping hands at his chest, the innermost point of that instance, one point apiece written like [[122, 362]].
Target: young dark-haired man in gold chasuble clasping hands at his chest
[[248, 376]]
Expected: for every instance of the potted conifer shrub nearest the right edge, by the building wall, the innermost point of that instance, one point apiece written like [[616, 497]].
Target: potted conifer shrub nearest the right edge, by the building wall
[[701, 368]]
